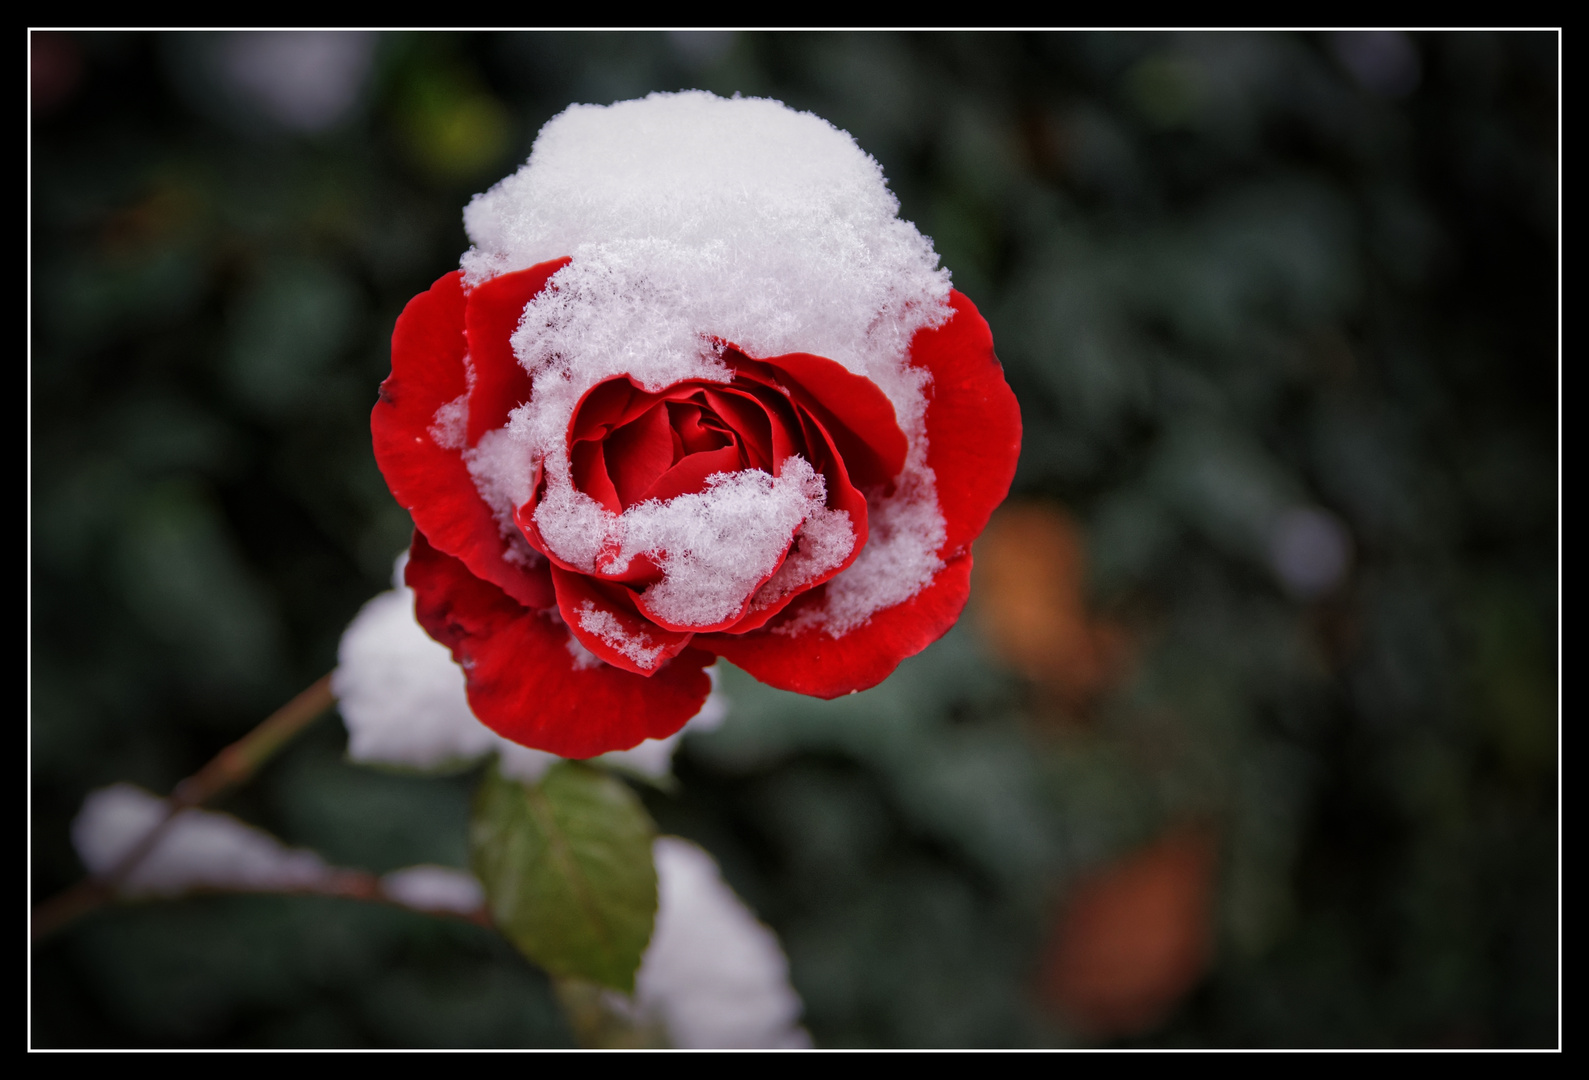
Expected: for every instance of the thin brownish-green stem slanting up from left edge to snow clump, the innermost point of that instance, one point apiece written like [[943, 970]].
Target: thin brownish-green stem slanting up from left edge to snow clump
[[233, 766]]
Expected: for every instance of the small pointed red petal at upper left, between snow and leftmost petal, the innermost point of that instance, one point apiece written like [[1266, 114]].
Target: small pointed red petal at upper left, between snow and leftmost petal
[[495, 310]]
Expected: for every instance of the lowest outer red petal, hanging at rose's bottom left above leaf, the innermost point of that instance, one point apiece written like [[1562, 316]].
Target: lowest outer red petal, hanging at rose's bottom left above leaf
[[524, 682]]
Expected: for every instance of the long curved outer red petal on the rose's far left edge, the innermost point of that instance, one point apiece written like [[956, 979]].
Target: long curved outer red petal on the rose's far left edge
[[431, 480]]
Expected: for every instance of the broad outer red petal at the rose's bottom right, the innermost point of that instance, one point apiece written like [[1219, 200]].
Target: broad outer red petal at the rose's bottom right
[[813, 663]]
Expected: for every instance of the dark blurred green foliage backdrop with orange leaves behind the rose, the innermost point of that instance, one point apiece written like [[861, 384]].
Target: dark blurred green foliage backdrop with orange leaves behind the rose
[[1251, 733]]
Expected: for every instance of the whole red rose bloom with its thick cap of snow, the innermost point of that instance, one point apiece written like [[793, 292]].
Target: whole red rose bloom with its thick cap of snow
[[697, 393]]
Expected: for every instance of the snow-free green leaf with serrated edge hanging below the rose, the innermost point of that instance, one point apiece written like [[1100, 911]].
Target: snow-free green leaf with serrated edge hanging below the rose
[[568, 871]]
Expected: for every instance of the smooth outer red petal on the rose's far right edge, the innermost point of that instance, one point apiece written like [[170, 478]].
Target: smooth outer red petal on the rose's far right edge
[[973, 423]]
